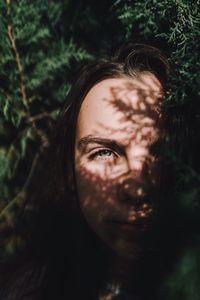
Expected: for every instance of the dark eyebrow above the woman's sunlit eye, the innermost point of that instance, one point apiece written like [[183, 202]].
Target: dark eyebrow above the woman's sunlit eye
[[85, 141]]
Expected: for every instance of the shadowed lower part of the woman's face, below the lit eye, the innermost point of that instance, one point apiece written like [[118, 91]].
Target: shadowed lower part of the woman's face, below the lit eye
[[111, 203]]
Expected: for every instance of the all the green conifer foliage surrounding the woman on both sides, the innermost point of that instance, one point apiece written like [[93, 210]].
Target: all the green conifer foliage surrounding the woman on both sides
[[43, 42]]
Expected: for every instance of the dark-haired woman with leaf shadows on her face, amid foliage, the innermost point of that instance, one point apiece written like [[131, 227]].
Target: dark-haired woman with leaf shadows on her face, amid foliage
[[99, 190]]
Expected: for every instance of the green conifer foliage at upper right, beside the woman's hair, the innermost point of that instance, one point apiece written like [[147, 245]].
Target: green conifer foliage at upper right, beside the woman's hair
[[175, 25]]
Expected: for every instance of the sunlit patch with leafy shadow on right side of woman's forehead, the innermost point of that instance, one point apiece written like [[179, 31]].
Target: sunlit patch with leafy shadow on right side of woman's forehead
[[136, 107]]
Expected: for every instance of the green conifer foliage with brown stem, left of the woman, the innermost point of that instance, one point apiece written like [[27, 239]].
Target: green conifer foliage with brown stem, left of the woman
[[41, 46]]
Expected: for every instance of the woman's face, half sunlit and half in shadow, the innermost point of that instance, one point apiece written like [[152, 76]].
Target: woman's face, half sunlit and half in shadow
[[116, 172]]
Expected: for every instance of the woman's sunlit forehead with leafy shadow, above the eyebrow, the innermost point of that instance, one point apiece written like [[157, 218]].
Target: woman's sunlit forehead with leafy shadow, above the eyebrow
[[117, 103]]
